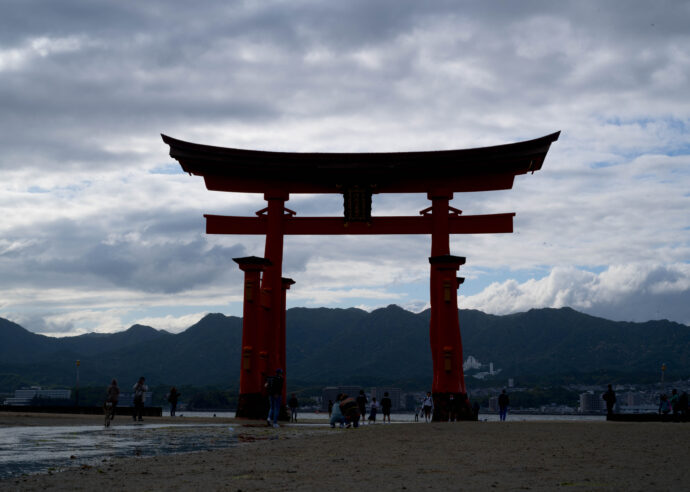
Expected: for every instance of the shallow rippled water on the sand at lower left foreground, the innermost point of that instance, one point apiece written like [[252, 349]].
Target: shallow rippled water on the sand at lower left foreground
[[40, 449]]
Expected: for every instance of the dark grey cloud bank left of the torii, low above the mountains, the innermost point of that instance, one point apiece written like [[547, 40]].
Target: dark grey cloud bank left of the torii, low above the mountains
[[76, 253]]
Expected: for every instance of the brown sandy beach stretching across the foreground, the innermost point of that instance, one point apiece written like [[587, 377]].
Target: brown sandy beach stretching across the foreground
[[466, 455]]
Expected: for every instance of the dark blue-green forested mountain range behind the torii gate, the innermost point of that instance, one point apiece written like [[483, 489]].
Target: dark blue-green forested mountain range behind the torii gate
[[389, 346]]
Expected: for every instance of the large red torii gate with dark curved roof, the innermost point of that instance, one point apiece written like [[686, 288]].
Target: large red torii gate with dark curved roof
[[357, 176]]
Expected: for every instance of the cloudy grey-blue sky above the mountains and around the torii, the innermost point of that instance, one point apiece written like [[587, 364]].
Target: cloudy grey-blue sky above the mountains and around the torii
[[100, 229]]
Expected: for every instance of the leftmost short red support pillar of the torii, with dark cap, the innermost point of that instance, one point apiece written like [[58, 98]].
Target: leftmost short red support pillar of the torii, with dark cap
[[252, 402]]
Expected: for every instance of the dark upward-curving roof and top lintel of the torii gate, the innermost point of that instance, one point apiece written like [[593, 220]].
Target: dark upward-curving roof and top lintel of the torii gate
[[254, 171]]
